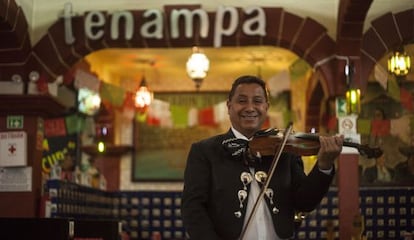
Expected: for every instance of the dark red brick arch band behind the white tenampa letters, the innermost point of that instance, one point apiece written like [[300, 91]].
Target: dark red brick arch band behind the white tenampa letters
[[303, 36]]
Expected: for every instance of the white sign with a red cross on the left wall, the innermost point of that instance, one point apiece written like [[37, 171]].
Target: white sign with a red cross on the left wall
[[13, 149]]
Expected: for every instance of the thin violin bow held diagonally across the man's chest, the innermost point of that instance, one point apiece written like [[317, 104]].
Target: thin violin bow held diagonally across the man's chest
[[275, 160]]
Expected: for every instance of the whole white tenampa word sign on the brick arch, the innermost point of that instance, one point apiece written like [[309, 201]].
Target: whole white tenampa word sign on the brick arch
[[153, 23]]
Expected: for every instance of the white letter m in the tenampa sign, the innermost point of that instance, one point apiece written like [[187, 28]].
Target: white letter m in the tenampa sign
[[189, 17]]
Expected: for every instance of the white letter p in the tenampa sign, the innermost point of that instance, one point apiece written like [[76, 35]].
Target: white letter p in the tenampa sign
[[219, 29]]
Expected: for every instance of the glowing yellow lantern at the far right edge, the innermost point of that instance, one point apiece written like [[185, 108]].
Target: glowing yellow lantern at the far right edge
[[399, 63]]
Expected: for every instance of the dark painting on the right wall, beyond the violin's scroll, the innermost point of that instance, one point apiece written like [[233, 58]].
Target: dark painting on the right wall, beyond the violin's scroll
[[387, 122]]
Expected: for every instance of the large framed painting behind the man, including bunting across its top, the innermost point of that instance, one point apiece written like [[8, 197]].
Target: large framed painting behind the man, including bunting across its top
[[163, 135]]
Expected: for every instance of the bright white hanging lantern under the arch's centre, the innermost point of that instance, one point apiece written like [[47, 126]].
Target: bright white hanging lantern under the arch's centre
[[197, 66]]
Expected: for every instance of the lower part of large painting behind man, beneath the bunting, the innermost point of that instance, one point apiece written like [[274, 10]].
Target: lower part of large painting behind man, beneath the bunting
[[161, 153]]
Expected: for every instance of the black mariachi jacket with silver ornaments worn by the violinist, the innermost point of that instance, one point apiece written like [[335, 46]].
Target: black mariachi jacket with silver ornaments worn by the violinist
[[211, 208]]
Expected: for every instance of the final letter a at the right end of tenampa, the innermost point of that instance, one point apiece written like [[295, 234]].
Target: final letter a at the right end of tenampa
[[258, 20]]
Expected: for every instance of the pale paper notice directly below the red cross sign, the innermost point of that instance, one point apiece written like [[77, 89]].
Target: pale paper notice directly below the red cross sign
[[16, 179]]
